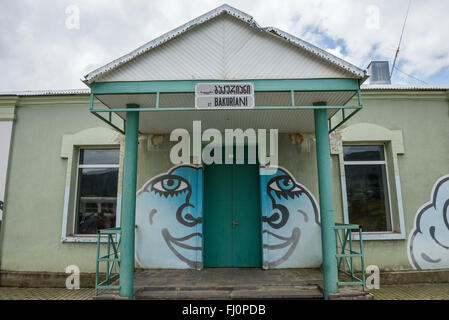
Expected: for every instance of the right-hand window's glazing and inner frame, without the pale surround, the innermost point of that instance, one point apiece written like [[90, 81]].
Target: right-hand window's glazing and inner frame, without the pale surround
[[367, 187]]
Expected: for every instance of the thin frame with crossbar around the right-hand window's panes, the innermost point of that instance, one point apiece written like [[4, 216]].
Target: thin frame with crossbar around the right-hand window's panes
[[371, 162]]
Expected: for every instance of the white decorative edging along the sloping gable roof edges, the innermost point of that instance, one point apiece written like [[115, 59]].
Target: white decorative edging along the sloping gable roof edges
[[226, 9]]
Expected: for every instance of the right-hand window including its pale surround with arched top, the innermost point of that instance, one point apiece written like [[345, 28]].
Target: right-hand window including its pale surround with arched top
[[368, 152]]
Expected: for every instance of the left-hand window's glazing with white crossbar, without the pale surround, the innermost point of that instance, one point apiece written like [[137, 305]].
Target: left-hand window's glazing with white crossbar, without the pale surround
[[96, 205]]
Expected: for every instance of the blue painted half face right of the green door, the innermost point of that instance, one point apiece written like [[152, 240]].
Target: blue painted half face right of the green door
[[291, 228]]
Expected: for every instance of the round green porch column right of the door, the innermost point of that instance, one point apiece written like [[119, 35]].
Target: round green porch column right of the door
[[328, 238]]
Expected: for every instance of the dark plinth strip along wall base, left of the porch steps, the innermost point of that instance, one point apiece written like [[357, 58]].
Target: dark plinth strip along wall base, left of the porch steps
[[32, 279]]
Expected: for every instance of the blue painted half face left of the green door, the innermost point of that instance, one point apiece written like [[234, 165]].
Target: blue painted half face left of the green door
[[168, 219]]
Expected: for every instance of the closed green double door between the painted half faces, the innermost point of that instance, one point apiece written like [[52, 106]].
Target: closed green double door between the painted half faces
[[232, 218]]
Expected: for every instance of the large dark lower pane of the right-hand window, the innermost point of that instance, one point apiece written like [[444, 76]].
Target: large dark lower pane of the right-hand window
[[367, 193]]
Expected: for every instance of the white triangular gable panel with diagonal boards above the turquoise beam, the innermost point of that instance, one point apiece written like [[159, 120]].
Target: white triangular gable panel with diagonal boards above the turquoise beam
[[225, 48]]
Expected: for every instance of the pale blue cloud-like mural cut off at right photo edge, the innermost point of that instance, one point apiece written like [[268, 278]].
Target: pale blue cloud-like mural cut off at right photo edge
[[429, 240]]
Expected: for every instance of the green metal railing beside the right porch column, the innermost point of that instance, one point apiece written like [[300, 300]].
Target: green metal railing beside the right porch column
[[345, 256]]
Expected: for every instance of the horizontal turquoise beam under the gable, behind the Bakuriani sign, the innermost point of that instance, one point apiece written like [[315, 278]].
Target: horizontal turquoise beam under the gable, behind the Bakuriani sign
[[135, 87]]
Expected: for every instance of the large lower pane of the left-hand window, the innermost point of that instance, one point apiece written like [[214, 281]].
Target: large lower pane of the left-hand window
[[97, 199]]
